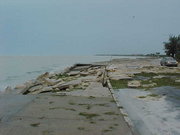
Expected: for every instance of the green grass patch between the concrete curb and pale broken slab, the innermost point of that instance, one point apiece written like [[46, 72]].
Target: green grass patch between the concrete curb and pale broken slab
[[119, 84]]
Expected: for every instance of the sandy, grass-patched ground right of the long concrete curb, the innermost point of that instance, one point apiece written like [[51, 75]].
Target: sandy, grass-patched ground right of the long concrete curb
[[149, 94]]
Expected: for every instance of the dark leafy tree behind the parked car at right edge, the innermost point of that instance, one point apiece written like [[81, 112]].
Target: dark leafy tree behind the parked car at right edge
[[172, 47]]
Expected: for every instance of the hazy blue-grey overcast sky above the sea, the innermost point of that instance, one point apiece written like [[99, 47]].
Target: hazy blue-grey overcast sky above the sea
[[85, 27]]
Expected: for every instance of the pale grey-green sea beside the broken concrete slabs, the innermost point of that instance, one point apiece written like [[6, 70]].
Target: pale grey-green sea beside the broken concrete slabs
[[19, 69]]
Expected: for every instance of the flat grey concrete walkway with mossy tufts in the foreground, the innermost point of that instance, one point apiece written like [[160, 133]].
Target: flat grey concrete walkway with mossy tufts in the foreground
[[61, 115]]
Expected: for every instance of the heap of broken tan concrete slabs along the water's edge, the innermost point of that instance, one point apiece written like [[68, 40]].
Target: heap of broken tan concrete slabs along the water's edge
[[76, 77]]
